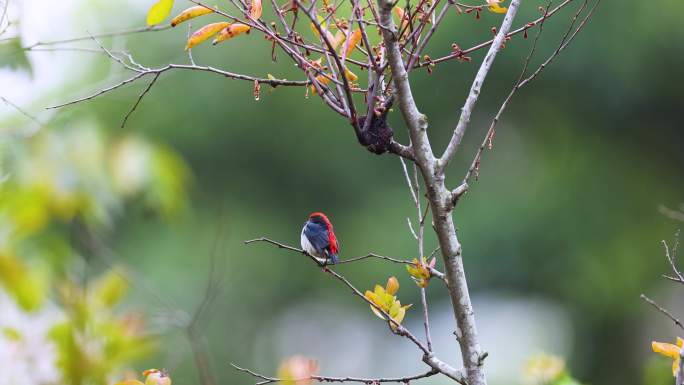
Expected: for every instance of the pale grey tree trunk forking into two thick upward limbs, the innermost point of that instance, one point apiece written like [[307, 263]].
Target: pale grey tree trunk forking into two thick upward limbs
[[441, 199]]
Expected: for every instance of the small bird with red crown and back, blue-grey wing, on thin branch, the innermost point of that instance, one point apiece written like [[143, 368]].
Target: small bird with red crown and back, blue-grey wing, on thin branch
[[318, 238]]
